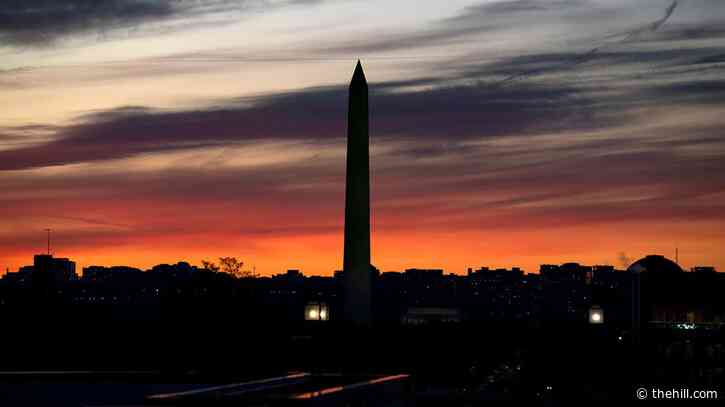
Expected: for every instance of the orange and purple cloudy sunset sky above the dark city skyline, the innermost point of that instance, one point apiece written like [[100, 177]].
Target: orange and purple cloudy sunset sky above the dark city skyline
[[503, 133]]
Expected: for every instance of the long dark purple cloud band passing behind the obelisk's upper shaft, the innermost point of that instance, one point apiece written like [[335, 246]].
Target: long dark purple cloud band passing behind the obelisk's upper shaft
[[455, 113]]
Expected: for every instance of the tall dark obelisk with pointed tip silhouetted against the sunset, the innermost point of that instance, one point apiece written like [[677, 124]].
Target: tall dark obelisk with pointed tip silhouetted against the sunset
[[356, 263]]
